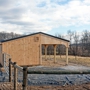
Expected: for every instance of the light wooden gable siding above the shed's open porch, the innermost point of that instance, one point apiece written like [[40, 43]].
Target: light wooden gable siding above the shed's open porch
[[51, 40]]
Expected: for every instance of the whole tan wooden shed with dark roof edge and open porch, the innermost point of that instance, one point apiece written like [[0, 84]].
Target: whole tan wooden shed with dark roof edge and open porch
[[27, 50]]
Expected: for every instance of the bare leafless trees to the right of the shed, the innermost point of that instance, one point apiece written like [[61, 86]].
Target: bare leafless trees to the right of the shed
[[79, 43]]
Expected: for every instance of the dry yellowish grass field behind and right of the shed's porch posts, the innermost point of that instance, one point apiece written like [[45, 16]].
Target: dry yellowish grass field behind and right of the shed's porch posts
[[61, 61]]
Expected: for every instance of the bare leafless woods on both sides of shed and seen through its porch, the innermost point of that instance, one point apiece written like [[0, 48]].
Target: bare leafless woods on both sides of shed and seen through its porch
[[79, 43]]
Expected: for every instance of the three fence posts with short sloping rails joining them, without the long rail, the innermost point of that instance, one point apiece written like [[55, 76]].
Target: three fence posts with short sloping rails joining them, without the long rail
[[24, 70]]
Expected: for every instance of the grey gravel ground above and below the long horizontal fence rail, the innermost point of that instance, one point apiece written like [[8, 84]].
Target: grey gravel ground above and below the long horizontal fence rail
[[38, 79]]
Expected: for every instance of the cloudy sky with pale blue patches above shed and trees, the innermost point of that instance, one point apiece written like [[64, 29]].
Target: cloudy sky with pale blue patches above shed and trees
[[49, 16]]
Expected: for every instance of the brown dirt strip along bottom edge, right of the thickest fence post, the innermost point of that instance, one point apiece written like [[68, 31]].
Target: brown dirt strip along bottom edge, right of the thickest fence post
[[68, 87]]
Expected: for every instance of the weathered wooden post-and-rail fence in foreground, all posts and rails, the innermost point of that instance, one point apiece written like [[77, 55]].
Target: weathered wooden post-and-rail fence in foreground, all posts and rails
[[27, 71]]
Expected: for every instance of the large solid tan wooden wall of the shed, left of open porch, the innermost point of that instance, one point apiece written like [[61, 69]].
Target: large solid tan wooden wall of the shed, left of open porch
[[25, 51]]
